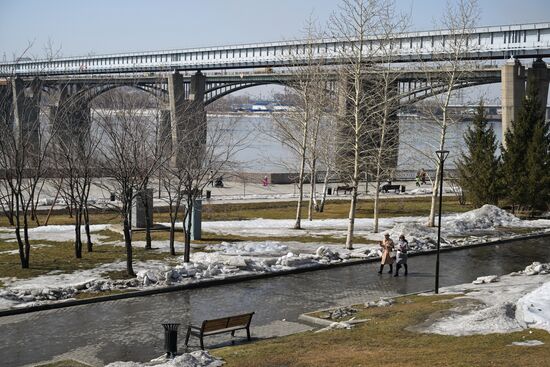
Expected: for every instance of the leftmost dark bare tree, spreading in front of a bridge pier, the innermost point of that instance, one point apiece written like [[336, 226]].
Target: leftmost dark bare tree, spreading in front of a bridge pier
[[24, 143]]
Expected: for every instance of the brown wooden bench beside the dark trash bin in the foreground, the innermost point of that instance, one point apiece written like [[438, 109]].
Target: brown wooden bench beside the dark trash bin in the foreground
[[219, 326]]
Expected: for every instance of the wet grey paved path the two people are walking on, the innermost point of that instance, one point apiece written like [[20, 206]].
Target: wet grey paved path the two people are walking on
[[130, 329]]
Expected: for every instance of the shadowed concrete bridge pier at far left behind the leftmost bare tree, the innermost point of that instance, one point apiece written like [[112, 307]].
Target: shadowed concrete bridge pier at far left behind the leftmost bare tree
[[26, 114]]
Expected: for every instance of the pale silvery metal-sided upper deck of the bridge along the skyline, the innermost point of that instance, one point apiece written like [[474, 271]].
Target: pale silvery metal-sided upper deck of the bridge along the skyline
[[496, 43]]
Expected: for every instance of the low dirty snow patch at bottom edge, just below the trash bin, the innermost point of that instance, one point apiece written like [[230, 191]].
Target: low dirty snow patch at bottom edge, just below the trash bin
[[198, 358]]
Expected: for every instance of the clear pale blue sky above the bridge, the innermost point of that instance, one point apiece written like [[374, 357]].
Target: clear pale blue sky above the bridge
[[80, 27]]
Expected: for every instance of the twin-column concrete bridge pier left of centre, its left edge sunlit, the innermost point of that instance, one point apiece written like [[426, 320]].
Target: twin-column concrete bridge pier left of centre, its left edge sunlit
[[187, 118]]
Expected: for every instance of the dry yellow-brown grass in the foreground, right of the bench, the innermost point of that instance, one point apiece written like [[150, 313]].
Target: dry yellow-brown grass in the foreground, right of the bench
[[384, 341]]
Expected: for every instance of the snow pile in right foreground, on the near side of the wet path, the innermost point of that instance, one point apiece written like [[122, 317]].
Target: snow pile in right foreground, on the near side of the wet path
[[494, 304]]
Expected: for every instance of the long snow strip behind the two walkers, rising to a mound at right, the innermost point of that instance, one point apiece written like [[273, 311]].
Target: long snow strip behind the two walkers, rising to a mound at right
[[456, 228]]
